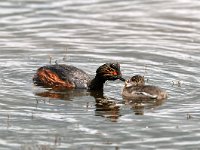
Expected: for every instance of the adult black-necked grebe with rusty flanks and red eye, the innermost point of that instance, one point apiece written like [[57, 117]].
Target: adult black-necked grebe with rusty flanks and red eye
[[62, 76]]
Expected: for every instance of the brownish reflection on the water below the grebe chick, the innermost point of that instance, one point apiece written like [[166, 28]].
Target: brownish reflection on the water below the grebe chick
[[139, 106]]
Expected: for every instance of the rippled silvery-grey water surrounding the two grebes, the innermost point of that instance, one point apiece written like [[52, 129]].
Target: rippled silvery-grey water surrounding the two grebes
[[158, 39]]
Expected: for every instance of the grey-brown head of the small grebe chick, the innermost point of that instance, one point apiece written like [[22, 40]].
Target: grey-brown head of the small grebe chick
[[136, 80]]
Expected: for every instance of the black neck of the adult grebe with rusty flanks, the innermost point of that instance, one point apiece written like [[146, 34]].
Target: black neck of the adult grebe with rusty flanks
[[96, 83]]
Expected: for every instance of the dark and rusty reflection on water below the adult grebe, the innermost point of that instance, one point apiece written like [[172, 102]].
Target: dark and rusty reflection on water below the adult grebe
[[105, 107]]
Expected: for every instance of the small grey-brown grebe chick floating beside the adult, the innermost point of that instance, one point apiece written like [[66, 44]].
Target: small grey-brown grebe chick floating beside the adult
[[135, 88]]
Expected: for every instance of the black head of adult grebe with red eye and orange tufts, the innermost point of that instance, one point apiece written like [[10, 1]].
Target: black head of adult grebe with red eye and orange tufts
[[110, 71]]
